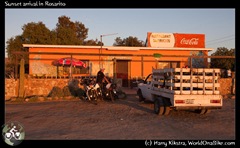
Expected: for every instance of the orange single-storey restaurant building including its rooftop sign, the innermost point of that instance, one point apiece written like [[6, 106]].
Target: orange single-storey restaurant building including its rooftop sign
[[163, 50]]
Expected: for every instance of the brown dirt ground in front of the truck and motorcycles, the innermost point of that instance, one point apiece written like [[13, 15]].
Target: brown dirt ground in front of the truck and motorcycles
[[125, 119]]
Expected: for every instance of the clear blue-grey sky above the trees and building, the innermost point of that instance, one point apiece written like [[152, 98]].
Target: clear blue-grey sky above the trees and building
[[218, 25]]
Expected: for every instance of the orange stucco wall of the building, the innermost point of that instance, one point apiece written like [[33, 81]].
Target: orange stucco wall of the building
[[41, 63]]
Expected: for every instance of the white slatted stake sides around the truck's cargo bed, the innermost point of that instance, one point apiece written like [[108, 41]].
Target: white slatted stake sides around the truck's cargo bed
[[187, 81]]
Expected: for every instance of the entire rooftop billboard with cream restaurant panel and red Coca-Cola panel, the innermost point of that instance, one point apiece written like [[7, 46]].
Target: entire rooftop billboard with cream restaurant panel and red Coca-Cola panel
[[176, 40]]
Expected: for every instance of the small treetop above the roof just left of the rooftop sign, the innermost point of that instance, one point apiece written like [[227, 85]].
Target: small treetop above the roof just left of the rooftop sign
[[130, 41]]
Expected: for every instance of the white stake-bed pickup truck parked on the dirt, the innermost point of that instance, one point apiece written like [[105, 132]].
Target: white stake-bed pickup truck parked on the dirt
[[182, 89]]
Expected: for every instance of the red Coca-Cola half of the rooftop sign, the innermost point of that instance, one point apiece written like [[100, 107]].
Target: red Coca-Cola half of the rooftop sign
[[189, 40]]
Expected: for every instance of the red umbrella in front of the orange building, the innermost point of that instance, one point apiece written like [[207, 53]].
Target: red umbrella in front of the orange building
[[67, 61]]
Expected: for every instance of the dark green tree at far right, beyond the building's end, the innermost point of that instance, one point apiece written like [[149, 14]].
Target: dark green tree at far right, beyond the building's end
[[223, 63]]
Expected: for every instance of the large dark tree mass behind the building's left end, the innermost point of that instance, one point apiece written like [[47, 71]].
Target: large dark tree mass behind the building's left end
[[66, 33]]
